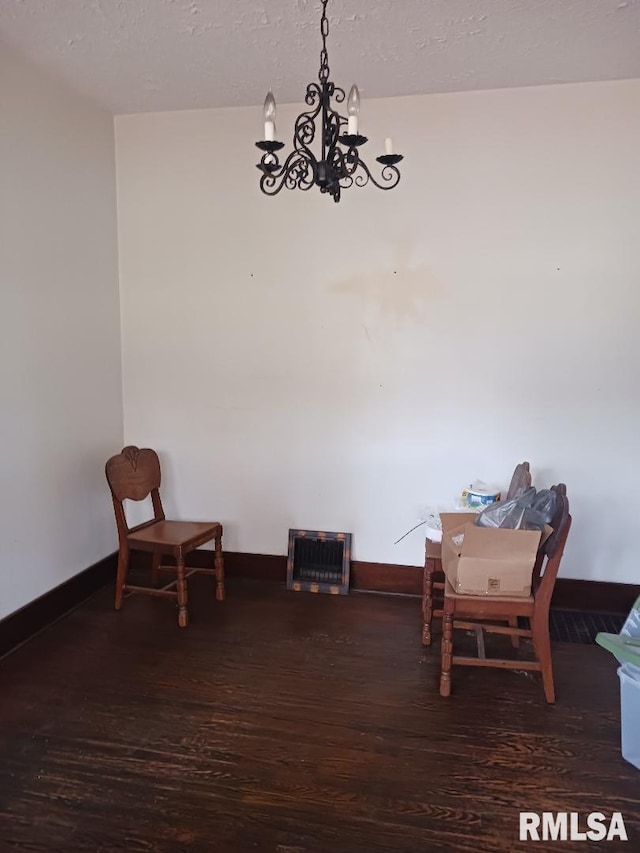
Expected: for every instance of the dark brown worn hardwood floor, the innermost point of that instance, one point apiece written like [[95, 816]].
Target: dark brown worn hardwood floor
[[293, 723]]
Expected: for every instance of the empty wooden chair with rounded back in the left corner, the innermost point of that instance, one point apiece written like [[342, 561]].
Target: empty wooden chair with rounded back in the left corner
[[134, 474]]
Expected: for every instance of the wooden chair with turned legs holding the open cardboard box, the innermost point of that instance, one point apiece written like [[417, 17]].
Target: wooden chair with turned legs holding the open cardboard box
[[481, 613]]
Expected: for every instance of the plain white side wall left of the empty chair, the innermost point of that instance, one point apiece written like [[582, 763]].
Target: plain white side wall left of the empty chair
[[60, 381]]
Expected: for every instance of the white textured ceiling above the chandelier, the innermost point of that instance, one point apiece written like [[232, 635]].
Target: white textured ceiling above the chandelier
[[141, 55]]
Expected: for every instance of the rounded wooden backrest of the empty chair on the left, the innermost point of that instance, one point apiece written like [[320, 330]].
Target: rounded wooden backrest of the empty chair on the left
[[134, 474]]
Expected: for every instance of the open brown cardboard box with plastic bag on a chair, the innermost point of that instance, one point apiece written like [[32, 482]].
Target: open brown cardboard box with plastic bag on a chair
[[488, 560]]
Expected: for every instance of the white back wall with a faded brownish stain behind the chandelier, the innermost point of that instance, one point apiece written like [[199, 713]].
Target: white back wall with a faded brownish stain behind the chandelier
[[306, 364]]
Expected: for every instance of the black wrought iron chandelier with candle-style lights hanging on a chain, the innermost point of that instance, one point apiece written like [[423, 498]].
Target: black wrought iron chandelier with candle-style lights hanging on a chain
[[339, 165]]
